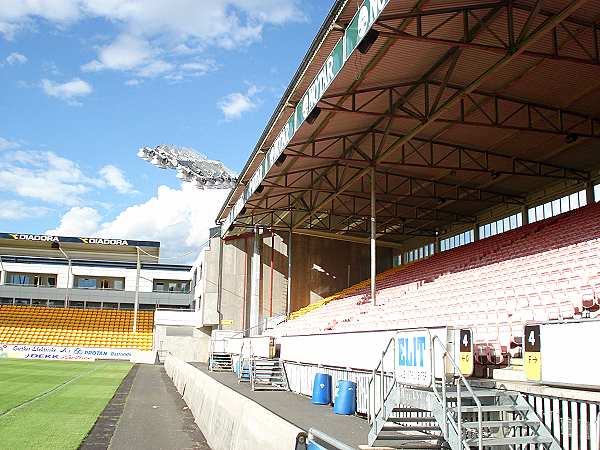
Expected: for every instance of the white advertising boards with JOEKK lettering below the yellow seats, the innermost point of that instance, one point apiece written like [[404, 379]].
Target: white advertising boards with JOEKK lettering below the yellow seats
[[64, 353]]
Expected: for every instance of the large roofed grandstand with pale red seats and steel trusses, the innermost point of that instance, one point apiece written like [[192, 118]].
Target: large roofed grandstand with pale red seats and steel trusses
[[419, 219]]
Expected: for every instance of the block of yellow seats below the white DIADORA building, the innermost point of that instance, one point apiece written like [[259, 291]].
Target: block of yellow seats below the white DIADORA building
[[72, 327]]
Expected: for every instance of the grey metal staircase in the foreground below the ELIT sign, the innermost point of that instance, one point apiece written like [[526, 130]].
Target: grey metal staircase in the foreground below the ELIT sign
[[450, 413]]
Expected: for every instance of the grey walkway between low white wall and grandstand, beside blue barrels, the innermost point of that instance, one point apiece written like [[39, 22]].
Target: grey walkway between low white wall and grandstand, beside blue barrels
[[299, 410]]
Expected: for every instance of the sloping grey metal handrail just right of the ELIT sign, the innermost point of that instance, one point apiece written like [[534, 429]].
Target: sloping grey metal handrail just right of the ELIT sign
[[444, 398]]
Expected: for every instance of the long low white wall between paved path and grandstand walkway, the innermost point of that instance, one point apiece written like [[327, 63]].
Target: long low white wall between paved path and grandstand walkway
[[227, 419]]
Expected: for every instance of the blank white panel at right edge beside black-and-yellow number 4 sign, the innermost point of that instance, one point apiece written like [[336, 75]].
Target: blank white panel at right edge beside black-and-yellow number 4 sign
[[567, 353]]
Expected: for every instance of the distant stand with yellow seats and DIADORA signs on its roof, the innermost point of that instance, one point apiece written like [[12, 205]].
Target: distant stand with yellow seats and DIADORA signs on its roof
[[94, 294]]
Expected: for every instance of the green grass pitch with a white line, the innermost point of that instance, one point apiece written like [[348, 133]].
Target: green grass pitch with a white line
[[53, 404]]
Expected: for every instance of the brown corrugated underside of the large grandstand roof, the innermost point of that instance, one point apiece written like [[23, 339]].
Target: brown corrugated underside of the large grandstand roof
[[525, 110]]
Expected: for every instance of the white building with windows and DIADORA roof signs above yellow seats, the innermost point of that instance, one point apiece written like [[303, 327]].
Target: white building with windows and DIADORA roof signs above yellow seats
[[61, 271]]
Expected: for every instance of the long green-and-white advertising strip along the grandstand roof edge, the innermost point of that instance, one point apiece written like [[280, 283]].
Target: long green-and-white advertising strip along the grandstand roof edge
[[361, 23]]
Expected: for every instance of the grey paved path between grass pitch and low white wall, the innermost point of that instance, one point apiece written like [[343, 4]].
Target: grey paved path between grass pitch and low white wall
[[155, 416]]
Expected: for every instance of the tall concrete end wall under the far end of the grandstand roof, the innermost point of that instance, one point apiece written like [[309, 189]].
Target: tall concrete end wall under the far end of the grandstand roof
[[320, 267]]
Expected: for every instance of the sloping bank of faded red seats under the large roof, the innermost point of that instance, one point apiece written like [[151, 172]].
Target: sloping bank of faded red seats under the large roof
[[548, 270]]
